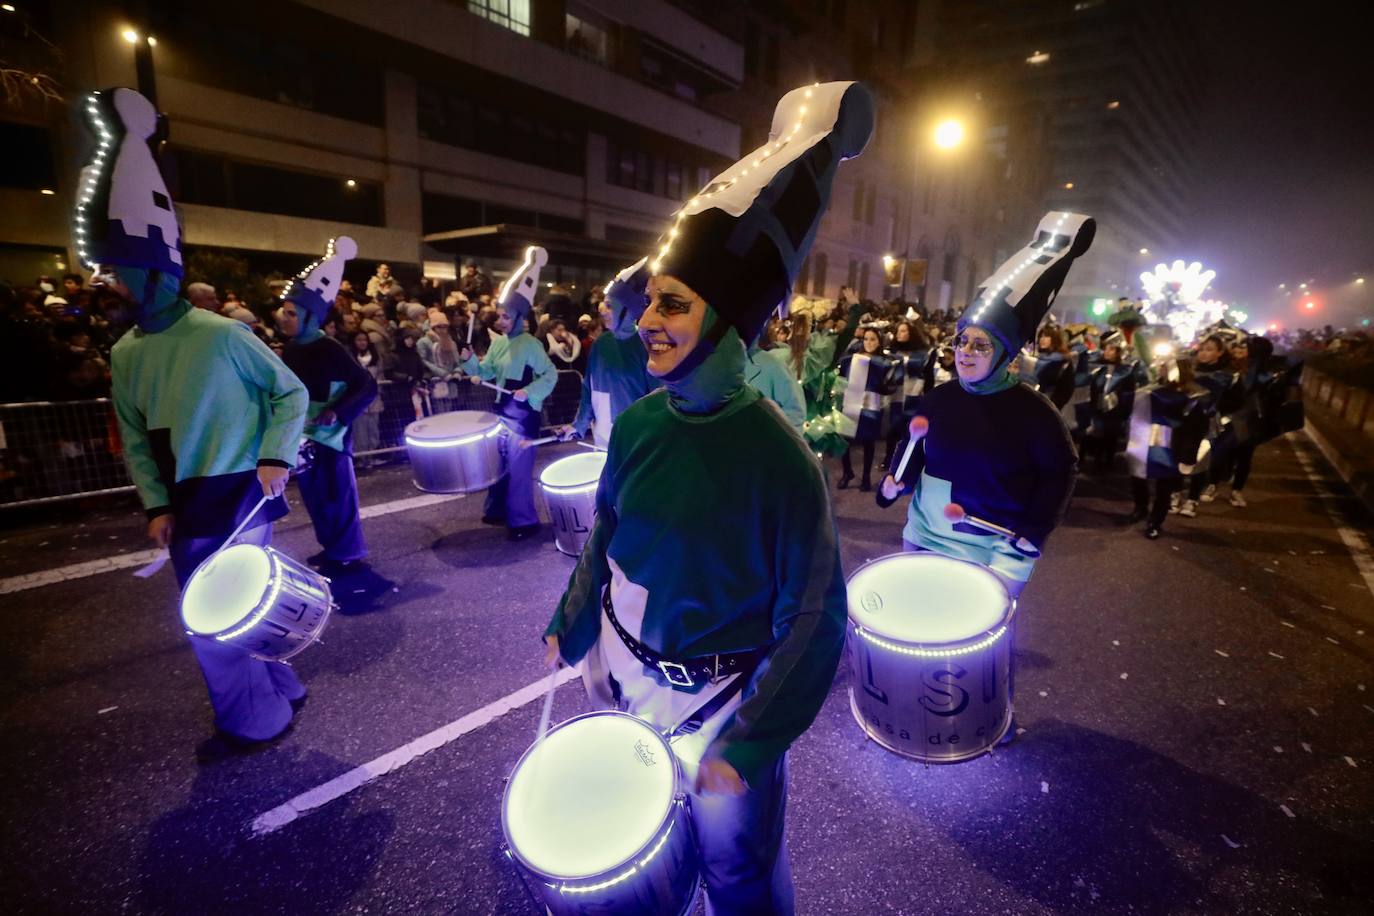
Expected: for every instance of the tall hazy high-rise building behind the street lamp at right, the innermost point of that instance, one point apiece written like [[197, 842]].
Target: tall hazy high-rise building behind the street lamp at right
[[1116, 89]]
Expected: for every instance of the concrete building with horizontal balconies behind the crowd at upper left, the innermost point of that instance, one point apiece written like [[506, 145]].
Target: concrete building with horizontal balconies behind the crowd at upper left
[[428, 130]]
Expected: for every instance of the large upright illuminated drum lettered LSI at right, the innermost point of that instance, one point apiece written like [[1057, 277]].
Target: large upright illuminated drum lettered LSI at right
[[930, 654]]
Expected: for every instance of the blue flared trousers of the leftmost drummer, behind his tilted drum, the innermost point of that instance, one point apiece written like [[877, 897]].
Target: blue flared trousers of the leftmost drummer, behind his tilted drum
[[252, 698]]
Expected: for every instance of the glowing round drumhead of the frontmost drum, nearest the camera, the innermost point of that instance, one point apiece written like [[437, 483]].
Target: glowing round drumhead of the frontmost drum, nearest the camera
[[590, 796]]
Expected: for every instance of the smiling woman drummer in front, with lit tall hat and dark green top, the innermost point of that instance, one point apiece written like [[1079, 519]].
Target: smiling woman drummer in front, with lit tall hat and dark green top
[[711, 593]]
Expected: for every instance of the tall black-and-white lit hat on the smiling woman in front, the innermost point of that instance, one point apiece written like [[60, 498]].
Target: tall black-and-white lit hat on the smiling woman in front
[[740, 244]]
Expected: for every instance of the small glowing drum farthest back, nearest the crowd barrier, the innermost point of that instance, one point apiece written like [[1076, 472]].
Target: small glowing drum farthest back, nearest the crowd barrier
[[458, 453]]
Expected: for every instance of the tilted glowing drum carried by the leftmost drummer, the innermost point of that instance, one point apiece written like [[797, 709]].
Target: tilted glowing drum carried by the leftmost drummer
[[258, 599]]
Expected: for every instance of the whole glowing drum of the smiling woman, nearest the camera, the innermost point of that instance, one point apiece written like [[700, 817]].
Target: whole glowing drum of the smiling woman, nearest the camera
[[596, 818]]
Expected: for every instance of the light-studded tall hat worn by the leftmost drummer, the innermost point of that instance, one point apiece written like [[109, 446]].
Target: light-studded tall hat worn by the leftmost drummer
[[124, 212]]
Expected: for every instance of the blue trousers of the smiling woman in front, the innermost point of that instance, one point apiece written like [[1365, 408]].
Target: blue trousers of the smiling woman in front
[[744, 854]]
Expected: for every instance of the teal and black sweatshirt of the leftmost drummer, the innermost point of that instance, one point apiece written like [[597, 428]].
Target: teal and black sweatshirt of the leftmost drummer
[[201, 404]]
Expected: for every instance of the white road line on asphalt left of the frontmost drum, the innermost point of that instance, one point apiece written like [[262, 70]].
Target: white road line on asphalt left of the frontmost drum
[[361, 777]]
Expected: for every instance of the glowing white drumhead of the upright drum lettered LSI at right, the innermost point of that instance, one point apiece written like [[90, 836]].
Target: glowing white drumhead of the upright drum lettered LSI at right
[[927, 599]]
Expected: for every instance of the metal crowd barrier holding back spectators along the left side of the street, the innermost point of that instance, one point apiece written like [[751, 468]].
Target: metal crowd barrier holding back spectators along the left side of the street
[[56, 451]]
